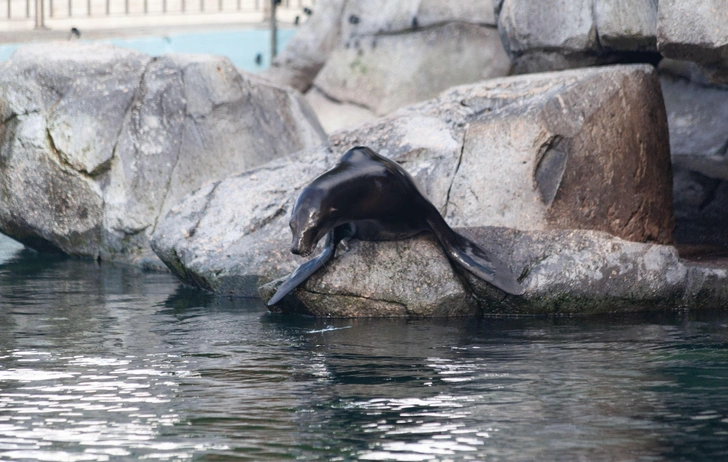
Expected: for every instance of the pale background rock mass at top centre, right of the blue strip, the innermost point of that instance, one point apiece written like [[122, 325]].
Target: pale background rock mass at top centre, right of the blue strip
[[362, 59]]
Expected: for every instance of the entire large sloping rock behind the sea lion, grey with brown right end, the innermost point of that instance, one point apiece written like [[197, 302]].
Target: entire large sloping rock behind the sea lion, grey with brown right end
[[507, 152]]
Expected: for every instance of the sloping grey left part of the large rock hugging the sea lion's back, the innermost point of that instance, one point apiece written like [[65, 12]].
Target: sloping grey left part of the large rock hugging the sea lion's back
[[229, 236]]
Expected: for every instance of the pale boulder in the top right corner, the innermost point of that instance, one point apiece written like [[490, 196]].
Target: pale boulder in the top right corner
[[695, 31]]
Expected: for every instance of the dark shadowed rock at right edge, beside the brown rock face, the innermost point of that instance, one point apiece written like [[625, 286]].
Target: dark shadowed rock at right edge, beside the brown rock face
[[697, 113]]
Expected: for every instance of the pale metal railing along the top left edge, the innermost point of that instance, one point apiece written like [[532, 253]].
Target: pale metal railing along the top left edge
[[40, 10]]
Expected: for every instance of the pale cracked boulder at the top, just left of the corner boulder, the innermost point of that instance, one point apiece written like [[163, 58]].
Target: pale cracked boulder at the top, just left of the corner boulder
[[554, 34]]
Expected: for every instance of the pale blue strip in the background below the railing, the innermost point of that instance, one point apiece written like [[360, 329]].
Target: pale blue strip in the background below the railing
[[240, 45]]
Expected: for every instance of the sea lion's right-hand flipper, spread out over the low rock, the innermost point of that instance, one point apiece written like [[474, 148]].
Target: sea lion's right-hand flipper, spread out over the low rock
[[482, 263]]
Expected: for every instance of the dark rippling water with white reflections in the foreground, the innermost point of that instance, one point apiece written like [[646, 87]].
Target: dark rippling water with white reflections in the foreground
[[99, 362]]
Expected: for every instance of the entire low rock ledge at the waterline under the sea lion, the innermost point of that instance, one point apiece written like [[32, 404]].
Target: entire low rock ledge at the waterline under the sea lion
[[569, 272]]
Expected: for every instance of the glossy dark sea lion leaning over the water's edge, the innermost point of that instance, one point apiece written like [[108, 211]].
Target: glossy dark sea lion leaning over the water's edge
[[372, 198]]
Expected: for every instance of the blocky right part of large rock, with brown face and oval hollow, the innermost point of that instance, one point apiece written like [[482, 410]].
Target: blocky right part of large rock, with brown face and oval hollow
[[538, 137]]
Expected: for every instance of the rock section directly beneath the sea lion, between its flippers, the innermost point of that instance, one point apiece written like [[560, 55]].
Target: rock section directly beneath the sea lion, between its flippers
[[410, 278]]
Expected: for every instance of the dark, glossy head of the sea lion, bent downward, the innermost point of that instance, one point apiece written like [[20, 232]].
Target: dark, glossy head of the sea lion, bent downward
[[311, 219]]
